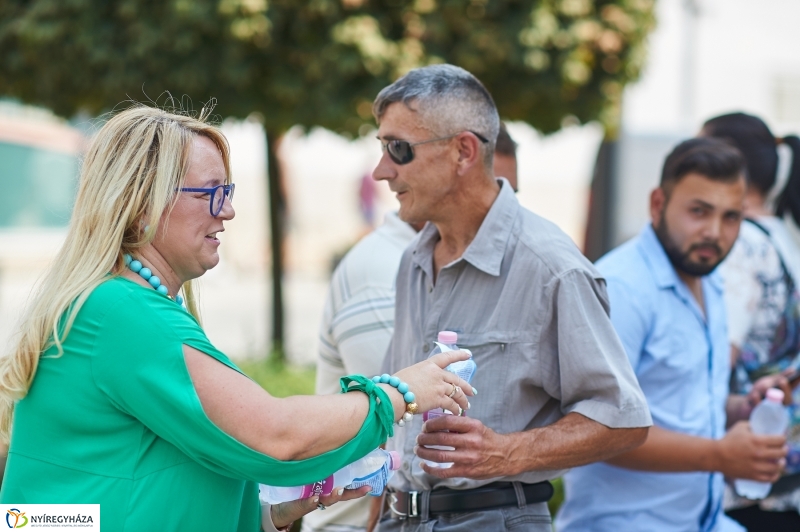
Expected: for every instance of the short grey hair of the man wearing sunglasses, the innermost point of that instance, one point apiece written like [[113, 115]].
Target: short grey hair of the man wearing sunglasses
[[449, 99]]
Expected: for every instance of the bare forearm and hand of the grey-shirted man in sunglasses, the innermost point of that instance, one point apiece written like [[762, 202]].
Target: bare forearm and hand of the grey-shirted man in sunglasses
[[572, 441]]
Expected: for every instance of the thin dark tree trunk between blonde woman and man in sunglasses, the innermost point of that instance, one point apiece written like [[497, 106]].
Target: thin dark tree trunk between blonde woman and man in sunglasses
[[277, 215]]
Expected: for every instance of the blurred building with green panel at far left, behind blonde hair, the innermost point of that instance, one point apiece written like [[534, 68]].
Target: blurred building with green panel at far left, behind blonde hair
[[38, 177]]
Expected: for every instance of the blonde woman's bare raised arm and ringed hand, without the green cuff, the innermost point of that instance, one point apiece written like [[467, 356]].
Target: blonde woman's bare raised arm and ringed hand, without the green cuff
[[299, 427]]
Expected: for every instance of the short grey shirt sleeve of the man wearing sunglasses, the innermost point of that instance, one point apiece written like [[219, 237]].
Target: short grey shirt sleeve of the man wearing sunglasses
[[583, 361]]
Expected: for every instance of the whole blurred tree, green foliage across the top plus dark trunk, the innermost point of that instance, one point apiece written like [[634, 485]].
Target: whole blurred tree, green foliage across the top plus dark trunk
[[320, 62]]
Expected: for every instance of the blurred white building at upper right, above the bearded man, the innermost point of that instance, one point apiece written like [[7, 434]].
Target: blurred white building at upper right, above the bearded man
[[706, 57]]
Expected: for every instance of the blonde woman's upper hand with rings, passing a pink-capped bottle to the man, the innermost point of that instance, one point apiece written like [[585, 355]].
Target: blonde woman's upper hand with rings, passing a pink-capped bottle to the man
[[433, 386]]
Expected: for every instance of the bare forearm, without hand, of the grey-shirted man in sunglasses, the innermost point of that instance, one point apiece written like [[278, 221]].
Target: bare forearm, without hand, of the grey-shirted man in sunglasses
[[572, 441]]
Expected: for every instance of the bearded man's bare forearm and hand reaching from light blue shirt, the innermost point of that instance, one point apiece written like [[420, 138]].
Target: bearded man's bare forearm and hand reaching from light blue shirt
[[740, 454]]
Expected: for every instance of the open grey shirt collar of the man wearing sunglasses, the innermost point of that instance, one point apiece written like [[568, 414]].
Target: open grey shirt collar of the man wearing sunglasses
[[487, 249]]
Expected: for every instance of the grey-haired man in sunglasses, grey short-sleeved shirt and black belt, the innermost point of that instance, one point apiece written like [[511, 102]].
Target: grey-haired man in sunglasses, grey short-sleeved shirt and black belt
[[556, 388]]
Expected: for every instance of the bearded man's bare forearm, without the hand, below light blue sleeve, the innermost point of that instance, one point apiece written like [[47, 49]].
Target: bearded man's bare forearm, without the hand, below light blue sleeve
[[668, 451]]
